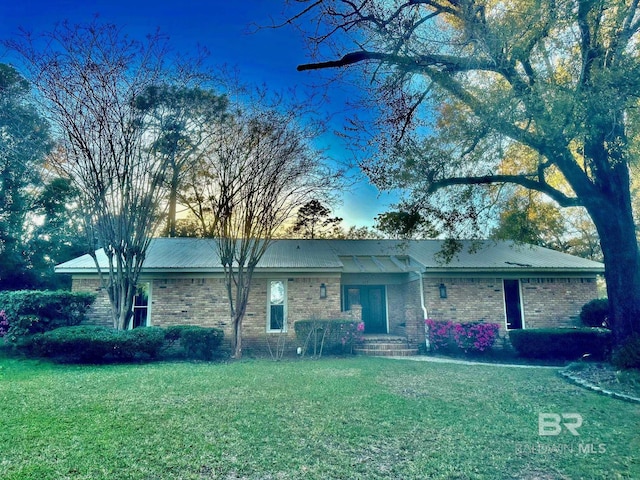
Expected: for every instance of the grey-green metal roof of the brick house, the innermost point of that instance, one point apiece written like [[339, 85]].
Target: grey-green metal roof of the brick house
[[353, 256]]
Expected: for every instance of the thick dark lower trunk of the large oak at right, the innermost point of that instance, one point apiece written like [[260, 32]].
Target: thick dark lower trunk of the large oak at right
[[622, 263]]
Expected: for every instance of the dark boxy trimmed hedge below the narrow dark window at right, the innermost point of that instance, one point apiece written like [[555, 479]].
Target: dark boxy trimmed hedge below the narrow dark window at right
[[562, 343]]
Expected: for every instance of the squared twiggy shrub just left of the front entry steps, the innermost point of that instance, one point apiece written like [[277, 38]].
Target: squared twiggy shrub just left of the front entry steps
[[330, 336]]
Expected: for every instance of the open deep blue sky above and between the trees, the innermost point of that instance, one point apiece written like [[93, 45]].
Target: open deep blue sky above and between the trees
[[227, 29]]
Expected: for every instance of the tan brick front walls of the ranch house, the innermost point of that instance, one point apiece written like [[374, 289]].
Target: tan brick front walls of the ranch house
[[178, 300]]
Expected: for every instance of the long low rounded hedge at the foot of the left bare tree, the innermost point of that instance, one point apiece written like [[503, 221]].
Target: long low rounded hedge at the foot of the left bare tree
[[92, 344]]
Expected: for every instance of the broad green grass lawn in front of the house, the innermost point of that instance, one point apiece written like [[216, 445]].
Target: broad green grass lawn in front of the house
[[333, 418]]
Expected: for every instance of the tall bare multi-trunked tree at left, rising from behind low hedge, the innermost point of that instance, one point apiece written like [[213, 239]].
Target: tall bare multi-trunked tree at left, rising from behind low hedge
[[89, 77]]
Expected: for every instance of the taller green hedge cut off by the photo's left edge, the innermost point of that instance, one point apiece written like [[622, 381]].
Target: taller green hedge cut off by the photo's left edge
[[34, 311]]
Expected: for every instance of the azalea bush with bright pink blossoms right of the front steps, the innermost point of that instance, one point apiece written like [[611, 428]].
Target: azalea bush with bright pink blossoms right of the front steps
[[473, 337]]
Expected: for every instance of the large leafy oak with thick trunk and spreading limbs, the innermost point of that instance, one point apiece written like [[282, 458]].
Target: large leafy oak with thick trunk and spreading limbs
[[461, 82]]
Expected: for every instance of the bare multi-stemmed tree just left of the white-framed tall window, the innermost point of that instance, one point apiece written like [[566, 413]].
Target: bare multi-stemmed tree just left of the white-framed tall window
[[259, 170]]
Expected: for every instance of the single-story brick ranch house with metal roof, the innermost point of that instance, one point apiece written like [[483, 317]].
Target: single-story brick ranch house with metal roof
[[391, 285]]
